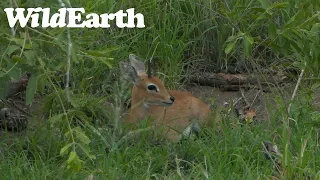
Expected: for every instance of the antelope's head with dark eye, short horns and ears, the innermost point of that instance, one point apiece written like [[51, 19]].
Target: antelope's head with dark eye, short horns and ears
[[147, 87]]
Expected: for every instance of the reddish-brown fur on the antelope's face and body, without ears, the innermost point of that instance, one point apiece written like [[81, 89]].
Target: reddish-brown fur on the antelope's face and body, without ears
[[174, 119]]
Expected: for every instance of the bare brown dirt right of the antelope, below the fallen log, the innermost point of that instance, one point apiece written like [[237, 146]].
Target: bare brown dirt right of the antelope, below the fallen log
[[264, 105]]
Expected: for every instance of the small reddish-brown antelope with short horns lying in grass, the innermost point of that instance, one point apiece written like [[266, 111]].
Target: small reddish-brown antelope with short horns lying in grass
[[178, 113]]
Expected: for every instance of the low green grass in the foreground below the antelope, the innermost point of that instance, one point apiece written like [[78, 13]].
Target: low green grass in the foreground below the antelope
[[235, 153]]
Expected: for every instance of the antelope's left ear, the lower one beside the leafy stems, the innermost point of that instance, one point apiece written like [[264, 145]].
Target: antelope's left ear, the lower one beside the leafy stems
[[129, 73]]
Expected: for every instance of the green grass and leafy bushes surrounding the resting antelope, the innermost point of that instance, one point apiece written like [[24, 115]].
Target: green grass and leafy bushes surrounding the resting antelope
[[80, 134]]
